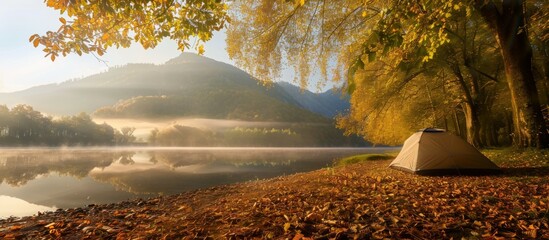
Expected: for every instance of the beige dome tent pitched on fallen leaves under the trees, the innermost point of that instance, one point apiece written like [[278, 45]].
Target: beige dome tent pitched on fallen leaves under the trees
[[437, 152]]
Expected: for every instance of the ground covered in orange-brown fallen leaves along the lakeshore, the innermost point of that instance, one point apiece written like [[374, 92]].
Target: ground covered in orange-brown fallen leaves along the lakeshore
[[357, 201]]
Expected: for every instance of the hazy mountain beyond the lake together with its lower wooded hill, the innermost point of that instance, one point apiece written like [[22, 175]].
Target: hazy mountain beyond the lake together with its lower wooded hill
[[186, 86]]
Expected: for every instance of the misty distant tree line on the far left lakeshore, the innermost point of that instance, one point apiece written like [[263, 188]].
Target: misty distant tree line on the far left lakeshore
[[24, 126]]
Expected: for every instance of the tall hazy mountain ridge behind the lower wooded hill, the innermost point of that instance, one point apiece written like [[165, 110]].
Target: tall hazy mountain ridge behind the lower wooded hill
[[187, 74]]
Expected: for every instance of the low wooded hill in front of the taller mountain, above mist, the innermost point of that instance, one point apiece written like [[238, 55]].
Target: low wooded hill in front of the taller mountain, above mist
[[215, 103]]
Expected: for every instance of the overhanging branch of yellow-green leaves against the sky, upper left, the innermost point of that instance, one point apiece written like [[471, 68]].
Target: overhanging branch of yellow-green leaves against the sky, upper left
[[95, 26]]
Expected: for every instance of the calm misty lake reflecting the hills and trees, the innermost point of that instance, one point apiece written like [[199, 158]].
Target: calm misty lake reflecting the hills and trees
[[44, 179]]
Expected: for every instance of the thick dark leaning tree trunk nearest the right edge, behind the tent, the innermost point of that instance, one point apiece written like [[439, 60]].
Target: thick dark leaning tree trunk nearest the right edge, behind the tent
[[512, 37]]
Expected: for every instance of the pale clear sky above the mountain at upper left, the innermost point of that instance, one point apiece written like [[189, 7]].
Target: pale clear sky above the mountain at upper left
[[23, 66]]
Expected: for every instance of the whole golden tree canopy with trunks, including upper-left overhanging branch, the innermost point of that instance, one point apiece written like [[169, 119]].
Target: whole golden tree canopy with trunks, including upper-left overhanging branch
[[453, 54]]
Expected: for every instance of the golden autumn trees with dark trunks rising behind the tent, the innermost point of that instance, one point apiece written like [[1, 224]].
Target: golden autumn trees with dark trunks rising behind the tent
[[424, 51]]
